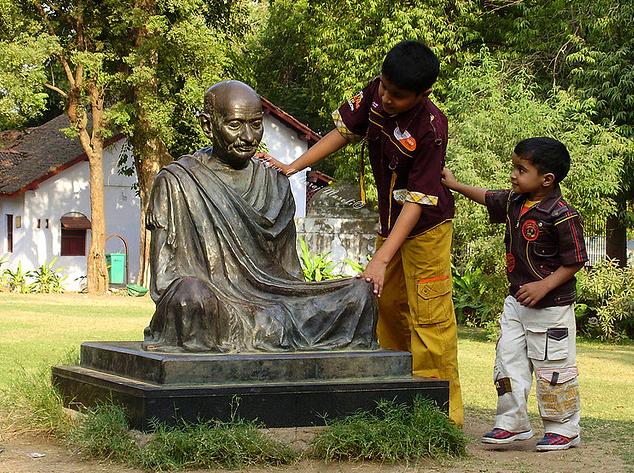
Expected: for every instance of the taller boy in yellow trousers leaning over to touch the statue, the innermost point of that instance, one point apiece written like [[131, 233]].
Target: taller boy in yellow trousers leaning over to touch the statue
[[411, 270]]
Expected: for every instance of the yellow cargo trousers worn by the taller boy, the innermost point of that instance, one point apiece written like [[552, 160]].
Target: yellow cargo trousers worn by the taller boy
[[416, 312]]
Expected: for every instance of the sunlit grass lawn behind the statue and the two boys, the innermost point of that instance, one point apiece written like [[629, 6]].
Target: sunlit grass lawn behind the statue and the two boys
[[43, 329]]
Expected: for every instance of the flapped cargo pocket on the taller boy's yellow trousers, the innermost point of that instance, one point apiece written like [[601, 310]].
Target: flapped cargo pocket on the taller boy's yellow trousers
[[433, 300]]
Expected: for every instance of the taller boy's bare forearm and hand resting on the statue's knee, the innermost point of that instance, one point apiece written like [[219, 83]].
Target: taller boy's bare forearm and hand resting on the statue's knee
[[374, 272]]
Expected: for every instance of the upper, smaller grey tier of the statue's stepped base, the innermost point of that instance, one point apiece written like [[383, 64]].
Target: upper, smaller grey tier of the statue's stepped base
[[129, 360]]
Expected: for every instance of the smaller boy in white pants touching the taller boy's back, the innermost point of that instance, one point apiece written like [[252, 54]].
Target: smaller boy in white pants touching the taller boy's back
[[544, 250]]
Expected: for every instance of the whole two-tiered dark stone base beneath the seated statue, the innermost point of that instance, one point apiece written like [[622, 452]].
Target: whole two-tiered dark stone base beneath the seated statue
[[277, 389]]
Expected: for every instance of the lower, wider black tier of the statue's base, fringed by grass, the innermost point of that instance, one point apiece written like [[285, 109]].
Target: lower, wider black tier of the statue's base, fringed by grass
[[290, 404]]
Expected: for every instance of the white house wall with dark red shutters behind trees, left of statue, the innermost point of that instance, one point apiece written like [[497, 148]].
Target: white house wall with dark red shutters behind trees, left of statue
[[67, 192]]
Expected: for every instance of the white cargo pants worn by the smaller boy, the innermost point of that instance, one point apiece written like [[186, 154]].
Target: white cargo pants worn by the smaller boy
[[543, 341]]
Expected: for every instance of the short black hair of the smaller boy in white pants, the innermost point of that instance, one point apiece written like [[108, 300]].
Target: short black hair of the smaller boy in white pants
[[546, 154]]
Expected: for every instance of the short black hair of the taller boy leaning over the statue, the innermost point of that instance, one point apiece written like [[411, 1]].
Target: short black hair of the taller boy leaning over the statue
[[411, 65]]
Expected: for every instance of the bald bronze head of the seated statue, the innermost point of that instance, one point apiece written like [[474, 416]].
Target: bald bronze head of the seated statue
[[233, 121]]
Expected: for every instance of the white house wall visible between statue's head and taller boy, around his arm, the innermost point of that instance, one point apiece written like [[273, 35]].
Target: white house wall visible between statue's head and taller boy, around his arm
[[284, 145]]
